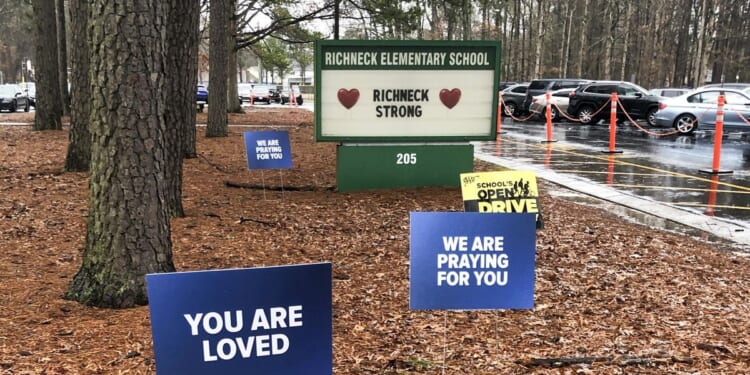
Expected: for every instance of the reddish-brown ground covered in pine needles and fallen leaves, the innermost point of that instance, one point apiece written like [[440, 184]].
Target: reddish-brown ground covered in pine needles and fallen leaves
[[612, 297]]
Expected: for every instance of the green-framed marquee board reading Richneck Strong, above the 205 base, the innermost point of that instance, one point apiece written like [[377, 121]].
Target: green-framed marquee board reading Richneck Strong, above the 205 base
[[406, 91]]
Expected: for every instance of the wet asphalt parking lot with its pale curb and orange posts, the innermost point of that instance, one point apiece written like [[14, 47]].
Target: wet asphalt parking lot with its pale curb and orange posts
[[661, 180]]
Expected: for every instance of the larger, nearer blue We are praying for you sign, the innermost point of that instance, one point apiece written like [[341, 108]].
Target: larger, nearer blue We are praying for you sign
[[472, 260]]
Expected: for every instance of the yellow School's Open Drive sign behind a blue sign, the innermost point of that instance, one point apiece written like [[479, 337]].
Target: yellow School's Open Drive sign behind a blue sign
[[501, 191]]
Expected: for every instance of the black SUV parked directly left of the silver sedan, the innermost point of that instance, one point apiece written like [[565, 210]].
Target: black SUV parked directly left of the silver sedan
[[588, 101]]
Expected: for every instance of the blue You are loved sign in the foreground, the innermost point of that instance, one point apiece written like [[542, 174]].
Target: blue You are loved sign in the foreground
[[271, 321]]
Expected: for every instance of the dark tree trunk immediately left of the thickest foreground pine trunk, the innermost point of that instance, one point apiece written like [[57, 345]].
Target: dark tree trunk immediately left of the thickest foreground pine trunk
[[79, 137]]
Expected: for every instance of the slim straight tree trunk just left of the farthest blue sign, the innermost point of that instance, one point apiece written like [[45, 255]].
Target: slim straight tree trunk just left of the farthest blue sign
[[217, 70]]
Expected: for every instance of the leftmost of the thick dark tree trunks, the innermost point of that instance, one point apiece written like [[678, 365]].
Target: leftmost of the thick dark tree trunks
[[47, 83]]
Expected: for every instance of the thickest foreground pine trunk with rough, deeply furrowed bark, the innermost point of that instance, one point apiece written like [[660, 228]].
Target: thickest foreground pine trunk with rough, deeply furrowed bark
[[128, 234]]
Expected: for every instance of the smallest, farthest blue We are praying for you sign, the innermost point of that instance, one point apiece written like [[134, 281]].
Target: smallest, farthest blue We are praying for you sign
[[268, 150]]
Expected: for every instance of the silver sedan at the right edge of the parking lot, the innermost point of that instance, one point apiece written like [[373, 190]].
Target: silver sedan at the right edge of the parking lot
[[697, 110]]
